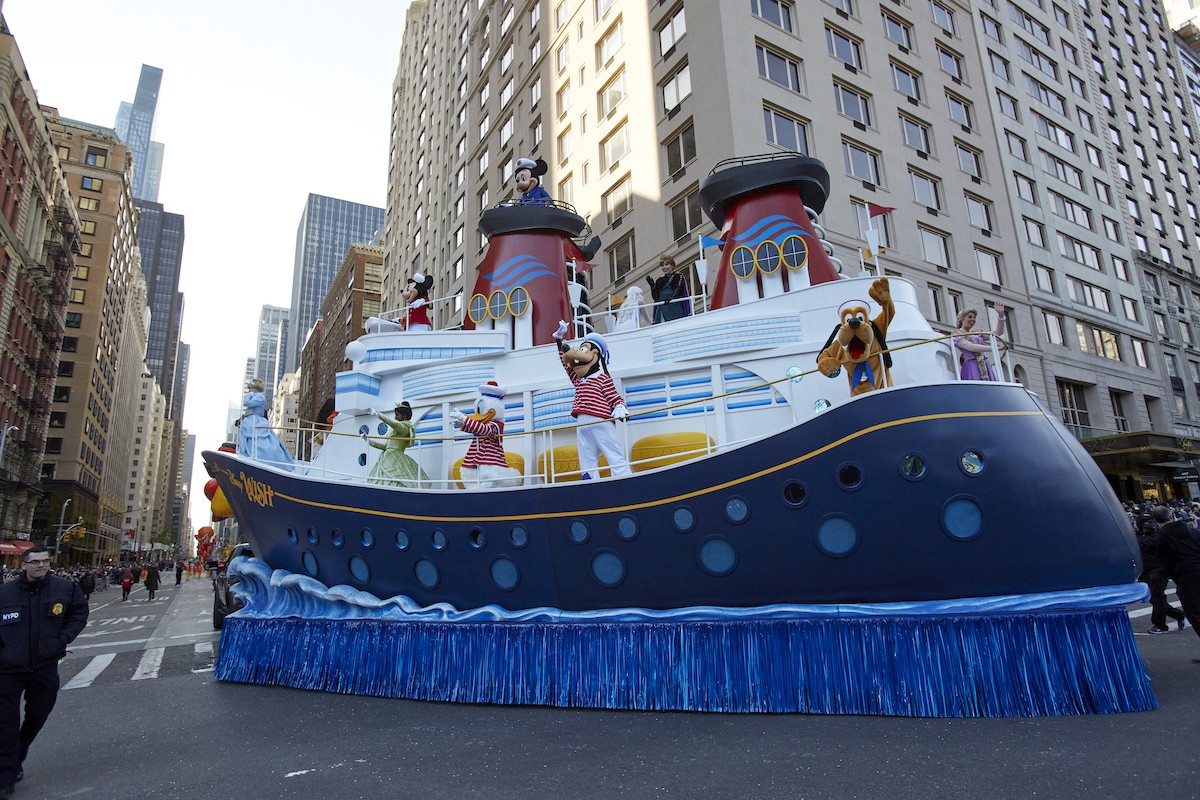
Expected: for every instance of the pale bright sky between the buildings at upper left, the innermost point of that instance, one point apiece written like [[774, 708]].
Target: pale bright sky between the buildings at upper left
[[262, 104]]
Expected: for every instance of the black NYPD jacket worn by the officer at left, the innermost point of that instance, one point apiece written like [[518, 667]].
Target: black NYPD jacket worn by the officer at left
[[38, 622]]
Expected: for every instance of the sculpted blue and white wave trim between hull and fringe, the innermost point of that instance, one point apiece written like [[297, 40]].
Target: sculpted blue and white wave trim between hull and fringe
[[279, 593]]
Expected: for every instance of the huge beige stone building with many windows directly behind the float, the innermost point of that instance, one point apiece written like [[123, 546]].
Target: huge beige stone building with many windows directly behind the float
[[1037, 155]]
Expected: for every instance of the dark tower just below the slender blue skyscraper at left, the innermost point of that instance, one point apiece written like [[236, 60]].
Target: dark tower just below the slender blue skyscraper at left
[[161, 242]]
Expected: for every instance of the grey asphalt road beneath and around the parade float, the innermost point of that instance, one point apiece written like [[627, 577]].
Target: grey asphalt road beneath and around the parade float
[[177, 733]]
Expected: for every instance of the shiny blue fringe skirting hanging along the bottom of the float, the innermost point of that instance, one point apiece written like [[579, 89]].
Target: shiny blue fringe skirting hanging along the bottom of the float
[[1030, 664]]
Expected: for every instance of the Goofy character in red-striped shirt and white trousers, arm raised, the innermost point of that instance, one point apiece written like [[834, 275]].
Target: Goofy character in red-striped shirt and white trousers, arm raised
[[597, 401]]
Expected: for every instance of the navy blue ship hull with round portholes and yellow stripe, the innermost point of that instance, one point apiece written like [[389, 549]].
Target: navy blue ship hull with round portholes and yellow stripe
[[917, 494]]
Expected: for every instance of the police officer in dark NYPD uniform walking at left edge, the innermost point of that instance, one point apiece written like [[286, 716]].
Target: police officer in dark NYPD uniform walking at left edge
[[40, 616]]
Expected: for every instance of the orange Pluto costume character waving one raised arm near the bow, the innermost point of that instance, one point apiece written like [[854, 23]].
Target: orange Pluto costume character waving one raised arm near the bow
[[859, 344]]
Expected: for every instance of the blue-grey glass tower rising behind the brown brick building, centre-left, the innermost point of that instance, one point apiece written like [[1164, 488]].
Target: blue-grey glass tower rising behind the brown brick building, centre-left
[[328, 227]]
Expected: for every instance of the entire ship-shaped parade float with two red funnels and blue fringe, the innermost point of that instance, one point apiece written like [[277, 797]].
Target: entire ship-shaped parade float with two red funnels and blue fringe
[[731, 512]]
